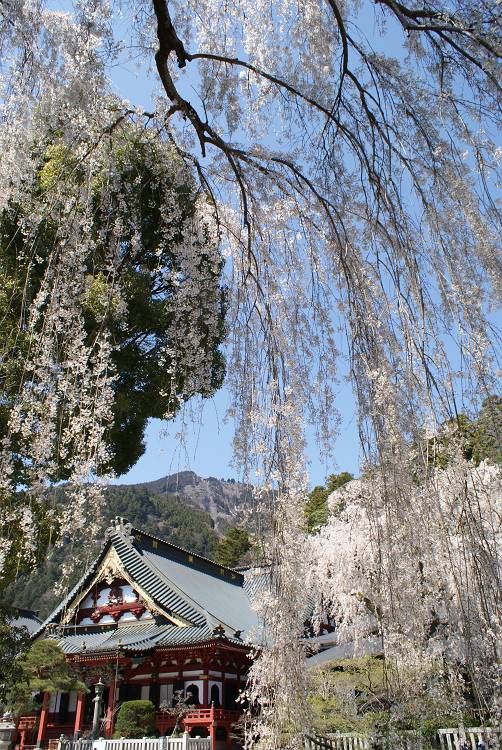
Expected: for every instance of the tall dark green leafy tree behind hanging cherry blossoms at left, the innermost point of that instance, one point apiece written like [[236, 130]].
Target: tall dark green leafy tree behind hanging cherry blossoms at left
[[128, 191]]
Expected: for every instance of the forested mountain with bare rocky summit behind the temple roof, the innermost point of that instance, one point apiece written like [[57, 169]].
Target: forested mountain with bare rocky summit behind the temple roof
[[183, 508]]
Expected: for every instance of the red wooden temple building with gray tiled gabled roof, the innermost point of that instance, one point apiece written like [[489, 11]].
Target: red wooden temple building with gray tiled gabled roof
[[149, 619]]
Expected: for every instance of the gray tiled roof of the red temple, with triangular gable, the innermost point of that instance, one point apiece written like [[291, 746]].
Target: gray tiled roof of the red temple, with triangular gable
[[203, 593]]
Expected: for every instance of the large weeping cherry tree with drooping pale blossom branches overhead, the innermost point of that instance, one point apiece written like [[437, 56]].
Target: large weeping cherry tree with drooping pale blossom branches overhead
[[343, 159]]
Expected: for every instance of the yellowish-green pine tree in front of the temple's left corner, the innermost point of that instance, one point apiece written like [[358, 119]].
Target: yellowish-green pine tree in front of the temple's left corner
[[42, 668]]
